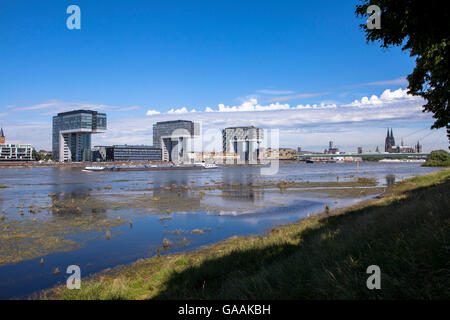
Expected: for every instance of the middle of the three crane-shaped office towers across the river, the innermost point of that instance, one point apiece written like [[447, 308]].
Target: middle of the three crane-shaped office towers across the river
[[175, 139]]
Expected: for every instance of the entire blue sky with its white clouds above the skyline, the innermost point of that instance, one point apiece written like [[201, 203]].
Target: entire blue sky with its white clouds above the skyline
[[270, 60]]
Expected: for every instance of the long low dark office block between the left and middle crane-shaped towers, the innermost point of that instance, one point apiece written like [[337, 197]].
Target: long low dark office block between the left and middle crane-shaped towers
[[133, 153]]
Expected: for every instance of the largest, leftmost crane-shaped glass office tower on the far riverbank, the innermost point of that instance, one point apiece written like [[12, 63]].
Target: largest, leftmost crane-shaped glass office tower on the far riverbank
[[72, 134]]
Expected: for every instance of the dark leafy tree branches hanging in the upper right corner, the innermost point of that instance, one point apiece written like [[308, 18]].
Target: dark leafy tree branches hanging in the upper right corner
[[422, 28]]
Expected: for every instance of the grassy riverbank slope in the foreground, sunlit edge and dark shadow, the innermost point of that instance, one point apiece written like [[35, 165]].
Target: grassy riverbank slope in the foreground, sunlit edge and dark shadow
[[406, 233]]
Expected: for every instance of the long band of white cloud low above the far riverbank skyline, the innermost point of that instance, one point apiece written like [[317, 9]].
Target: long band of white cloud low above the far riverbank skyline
[[300, 124]]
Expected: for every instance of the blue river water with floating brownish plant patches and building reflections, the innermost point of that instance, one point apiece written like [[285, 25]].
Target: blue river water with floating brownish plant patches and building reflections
[[100, 220]]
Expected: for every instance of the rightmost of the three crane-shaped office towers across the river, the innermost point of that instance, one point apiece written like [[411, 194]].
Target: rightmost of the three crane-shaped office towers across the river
[[244, 141]]
